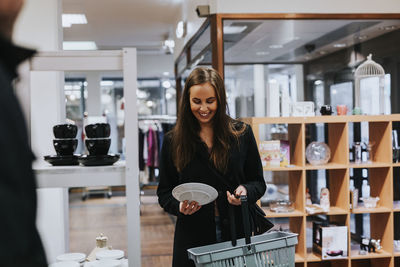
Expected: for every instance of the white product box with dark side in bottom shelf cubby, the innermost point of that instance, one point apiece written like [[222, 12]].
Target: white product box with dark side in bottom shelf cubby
[[330, 240]]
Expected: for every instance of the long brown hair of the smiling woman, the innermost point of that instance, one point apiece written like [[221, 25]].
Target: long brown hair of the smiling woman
[[186, 132]]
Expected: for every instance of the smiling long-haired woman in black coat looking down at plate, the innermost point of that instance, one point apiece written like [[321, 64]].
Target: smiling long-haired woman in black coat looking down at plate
[[207, 146]]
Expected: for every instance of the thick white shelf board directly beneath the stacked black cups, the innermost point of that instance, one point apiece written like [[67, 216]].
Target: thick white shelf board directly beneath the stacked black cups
[[79, 176]]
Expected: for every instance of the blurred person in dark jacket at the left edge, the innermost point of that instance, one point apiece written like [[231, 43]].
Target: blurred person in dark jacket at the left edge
[[20, 242]]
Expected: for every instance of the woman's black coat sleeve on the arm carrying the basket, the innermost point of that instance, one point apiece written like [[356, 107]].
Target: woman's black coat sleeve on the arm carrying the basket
[[253, 170]]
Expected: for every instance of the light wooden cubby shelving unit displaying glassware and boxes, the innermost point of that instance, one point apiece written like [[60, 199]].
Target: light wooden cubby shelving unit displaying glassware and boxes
[[380, 180]]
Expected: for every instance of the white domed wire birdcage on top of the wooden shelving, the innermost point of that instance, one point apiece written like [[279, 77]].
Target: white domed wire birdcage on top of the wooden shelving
[[367, 70]]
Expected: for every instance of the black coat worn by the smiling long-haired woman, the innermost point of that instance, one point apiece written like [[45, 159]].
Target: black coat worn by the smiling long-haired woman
[[198, 229]]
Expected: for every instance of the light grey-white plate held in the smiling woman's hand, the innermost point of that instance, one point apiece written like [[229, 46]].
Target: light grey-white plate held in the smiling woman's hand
[[201, 193]]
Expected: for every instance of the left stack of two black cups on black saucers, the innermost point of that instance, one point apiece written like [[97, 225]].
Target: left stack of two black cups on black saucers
[[65, 144]]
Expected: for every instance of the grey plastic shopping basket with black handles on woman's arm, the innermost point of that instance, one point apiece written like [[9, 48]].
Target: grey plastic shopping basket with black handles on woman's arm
[[269, 249]]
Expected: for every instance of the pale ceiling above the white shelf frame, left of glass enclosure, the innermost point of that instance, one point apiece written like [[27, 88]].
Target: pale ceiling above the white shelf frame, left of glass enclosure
[[114, 24]]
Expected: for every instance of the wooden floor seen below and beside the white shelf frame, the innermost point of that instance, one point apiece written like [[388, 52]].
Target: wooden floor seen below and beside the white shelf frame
[[101, 215]]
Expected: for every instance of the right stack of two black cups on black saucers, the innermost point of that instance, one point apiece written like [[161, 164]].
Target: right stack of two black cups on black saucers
[[98, 142]]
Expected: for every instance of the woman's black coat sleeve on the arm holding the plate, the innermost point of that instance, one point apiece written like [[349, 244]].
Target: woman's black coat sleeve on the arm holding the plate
[[168, 180]]
